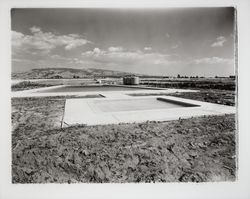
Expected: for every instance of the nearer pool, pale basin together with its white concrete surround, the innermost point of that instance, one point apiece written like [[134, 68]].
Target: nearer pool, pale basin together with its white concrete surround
[[129, 110]]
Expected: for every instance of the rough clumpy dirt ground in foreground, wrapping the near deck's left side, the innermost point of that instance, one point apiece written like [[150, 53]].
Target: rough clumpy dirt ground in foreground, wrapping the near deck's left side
[[191, 150]]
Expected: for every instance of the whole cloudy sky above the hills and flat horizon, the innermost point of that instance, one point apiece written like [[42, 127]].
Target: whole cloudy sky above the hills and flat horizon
[[169, 41]]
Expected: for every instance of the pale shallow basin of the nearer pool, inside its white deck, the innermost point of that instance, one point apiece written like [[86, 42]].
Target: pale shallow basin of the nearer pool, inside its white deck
[[137, 104]]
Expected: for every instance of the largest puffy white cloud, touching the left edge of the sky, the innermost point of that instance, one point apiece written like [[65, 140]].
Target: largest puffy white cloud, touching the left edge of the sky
[[44, 42]]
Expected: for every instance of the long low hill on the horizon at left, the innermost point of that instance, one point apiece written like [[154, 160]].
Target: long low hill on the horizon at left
[[58, 73]]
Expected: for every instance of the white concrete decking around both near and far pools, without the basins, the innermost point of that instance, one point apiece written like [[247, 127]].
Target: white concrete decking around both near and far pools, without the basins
[[85, 111]]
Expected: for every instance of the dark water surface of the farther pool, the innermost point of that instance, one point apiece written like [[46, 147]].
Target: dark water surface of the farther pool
[[90, 89]]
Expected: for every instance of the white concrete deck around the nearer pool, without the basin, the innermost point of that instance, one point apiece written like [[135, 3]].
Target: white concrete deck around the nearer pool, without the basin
[[84, 111]]
